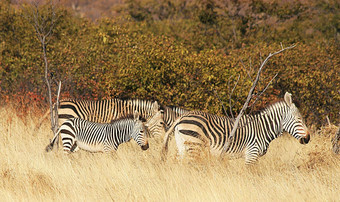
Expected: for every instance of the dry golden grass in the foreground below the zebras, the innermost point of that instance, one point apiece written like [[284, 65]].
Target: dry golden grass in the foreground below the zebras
[[288, 172]]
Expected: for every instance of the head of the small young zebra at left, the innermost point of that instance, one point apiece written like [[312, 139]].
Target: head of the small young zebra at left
[[139, 132]]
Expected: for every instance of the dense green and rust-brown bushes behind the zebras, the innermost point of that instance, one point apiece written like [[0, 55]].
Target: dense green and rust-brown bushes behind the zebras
[[183, 54]]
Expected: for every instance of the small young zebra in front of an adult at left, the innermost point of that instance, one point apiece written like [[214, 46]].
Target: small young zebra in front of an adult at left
[[100, 137]]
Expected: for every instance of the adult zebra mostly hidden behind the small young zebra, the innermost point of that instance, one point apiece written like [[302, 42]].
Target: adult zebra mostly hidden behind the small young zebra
[[105, 111]]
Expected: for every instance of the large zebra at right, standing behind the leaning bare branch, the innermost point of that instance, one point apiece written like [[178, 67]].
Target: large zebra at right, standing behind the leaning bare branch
[[252, 137]]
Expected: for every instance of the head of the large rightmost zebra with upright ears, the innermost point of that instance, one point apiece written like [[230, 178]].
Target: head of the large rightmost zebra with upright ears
[[293, 122]]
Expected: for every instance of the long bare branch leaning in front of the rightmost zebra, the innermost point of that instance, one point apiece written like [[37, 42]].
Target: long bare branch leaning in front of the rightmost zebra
[[249, 97]]
